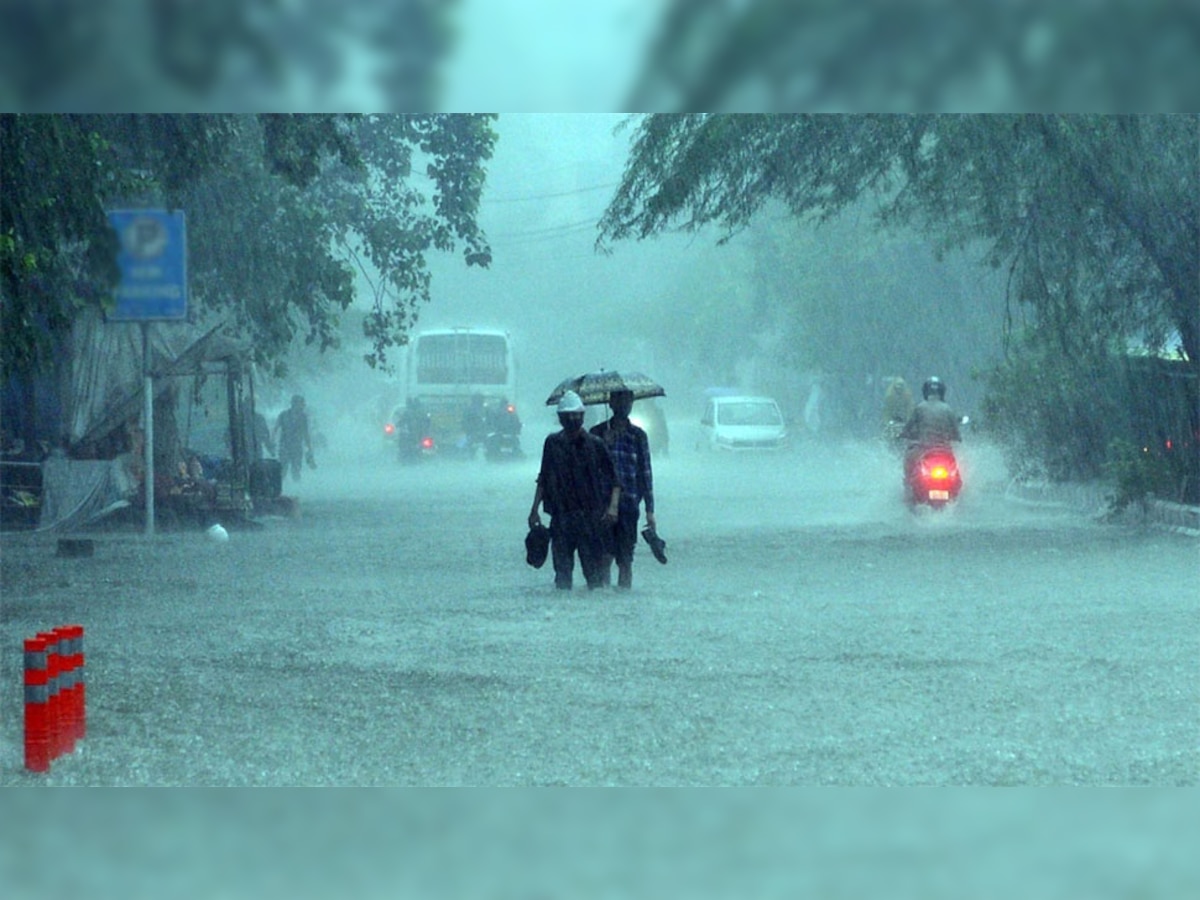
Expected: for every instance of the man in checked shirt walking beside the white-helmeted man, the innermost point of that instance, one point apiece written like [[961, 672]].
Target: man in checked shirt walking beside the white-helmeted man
[[631, 453]]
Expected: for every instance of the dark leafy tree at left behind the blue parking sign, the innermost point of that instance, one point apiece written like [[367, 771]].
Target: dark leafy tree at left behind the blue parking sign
[[275, 205]]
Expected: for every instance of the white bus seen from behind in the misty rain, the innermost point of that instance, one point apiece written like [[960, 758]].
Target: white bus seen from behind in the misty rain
[[451, 370]]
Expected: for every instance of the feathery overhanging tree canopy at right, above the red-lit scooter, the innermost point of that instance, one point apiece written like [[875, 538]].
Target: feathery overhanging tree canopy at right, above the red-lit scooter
[[1097, 219]]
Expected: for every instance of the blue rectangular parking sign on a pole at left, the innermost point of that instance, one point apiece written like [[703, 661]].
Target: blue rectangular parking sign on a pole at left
[[153, 260]]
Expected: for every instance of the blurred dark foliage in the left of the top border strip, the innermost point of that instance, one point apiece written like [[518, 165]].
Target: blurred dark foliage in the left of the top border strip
[[221, 55]]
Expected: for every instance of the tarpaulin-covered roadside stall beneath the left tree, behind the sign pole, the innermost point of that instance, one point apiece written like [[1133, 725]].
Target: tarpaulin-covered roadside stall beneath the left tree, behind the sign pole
[[209, 453]]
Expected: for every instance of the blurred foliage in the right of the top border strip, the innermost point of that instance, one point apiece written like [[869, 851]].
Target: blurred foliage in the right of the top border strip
[[778, 55]]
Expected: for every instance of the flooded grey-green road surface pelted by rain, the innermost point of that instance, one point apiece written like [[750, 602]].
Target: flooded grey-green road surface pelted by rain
[[807, 631]]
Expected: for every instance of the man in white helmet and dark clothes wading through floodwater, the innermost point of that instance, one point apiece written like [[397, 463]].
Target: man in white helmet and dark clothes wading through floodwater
[[579, 490]]
